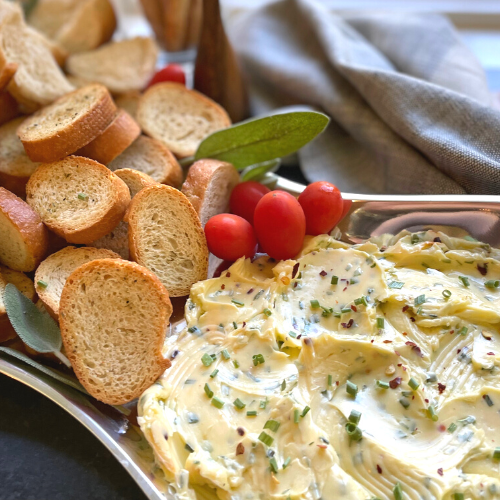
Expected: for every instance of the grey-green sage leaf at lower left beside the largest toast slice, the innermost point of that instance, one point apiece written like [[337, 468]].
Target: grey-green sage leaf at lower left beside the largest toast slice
[[35, 328]]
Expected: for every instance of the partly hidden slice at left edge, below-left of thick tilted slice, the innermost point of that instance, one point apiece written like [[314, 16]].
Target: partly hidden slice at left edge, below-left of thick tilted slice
[[15, 166]]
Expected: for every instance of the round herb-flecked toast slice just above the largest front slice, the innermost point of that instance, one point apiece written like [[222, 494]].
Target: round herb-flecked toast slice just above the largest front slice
[[78, 198]]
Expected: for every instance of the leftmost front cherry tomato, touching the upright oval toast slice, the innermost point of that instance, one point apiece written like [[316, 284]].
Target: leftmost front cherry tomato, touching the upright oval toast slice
[[230, 237]]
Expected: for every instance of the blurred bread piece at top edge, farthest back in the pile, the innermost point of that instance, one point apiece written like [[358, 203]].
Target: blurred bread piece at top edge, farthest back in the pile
[[77, 25]]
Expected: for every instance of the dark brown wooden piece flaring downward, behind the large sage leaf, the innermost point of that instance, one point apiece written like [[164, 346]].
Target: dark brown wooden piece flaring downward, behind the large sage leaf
[[216, 72]]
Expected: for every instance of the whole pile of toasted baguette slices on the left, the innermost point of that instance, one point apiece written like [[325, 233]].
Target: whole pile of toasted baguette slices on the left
[[99, 225]]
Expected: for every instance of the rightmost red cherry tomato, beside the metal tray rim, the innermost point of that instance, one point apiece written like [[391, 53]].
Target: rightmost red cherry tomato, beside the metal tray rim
[[323, 206]]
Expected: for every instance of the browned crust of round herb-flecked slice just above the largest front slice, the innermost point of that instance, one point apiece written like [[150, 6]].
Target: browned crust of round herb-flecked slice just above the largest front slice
[[102, 227]]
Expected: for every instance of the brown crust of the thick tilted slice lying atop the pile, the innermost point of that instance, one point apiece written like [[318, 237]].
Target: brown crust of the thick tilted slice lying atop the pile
[[79, 133]]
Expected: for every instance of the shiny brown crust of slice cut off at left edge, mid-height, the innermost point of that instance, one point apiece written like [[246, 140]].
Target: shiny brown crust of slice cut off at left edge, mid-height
[[29, 225]]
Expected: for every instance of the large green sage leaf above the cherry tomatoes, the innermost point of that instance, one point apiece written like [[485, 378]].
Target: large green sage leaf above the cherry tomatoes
[[263, 139]]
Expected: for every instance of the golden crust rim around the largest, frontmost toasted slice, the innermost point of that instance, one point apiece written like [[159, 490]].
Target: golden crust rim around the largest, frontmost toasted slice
[[155, 366]]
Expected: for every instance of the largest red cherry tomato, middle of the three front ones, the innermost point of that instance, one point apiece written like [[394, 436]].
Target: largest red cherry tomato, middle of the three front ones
[[280, 225]]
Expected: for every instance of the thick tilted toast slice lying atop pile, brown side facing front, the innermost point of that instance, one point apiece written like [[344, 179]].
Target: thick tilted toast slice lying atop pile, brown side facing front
[[68, 124]]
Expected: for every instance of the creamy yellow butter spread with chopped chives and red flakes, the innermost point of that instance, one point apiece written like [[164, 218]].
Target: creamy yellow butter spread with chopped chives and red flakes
[[354, 372]]
